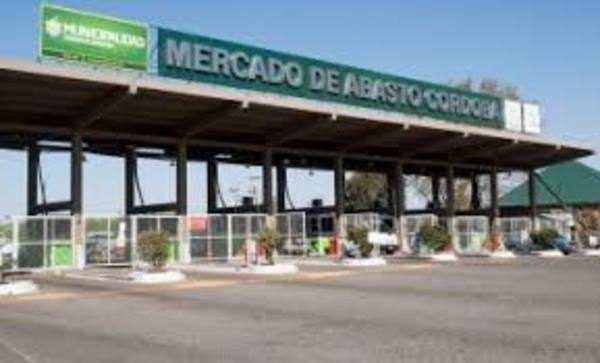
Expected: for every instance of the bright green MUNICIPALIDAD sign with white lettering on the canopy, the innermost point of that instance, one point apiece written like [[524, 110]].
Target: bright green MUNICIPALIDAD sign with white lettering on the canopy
[[91, 38]]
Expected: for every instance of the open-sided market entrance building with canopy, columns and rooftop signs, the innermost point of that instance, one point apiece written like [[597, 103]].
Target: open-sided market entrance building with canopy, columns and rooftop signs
[[98, 88]]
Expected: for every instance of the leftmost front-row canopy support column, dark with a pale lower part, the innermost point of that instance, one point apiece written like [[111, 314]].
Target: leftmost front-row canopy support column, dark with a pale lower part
[[76, 199]]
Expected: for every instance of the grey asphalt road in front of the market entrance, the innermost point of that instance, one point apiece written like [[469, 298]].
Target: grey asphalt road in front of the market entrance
[[529, 310]]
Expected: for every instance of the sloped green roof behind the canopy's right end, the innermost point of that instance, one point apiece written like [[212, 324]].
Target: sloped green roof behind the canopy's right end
[[573, 182]]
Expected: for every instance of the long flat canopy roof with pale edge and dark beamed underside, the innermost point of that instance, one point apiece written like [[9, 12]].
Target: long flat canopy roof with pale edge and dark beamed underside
[[117, 109]]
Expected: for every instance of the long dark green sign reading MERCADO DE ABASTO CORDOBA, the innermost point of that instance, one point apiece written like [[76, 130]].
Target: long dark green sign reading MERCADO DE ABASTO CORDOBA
[[202, 59]]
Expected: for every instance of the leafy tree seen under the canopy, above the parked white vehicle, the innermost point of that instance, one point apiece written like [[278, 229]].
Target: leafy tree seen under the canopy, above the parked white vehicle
[[366, 191]]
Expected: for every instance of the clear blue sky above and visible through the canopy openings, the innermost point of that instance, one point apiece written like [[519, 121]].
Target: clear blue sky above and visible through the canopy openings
[[549, 50]]
